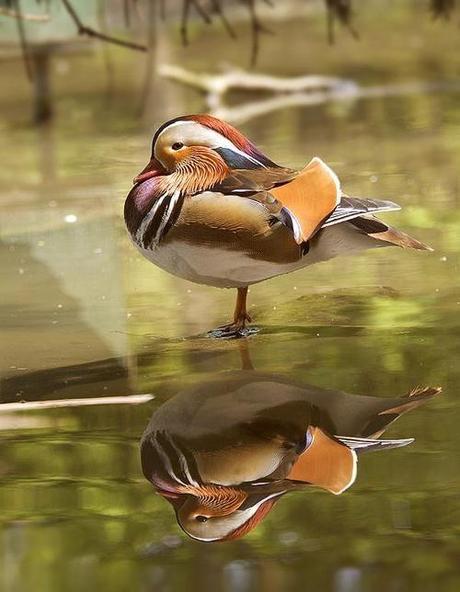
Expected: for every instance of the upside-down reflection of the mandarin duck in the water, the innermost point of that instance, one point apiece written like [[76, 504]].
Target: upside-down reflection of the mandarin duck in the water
[[225, 451]]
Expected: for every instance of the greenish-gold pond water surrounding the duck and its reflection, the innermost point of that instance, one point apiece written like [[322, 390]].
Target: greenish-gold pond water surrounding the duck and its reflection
[[83, 315]]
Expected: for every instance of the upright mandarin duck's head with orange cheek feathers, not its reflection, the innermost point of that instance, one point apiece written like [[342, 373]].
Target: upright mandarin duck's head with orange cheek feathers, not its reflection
[[200, 149]]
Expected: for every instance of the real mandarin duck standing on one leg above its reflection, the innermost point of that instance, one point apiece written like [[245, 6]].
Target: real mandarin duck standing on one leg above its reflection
[[211, 208]]
